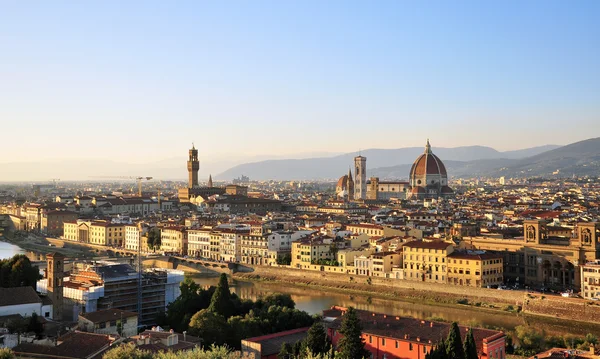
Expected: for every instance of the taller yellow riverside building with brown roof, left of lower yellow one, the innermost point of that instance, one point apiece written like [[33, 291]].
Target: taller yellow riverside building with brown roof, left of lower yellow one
[[426, 260]]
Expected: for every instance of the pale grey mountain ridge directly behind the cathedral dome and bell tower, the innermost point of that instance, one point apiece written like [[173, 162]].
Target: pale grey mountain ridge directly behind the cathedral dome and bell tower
[[385, 163]]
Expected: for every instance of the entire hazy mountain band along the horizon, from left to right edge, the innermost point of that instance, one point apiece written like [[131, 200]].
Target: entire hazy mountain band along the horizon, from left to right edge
[[580, 158]]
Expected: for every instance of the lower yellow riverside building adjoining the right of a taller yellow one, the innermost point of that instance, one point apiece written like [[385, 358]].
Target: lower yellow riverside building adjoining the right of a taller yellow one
[[475, 269]]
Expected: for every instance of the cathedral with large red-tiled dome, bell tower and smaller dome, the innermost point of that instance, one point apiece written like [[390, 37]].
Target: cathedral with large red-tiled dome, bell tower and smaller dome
[[427, 179]]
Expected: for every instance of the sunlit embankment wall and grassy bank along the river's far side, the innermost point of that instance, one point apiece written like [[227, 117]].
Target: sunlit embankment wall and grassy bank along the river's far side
[[480, 299]]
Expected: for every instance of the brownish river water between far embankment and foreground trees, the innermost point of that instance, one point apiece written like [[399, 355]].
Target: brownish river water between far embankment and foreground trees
[[314, 301]]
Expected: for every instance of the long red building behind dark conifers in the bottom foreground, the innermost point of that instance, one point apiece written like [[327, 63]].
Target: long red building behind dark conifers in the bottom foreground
[[392, 337]]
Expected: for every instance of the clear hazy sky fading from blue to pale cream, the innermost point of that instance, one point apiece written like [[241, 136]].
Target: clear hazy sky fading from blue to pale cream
[[141, 80]]
